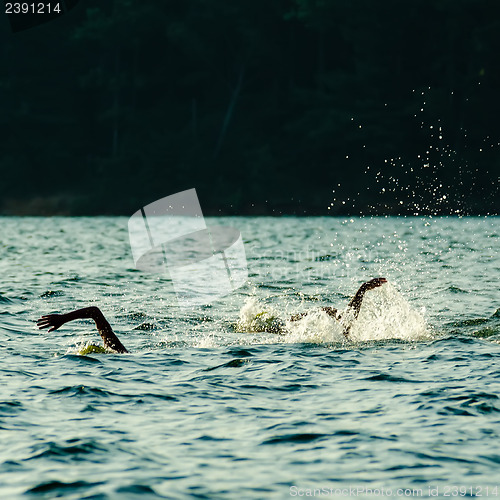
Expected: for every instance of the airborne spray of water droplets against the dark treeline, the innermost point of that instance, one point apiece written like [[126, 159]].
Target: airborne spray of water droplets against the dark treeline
[[440, 176]]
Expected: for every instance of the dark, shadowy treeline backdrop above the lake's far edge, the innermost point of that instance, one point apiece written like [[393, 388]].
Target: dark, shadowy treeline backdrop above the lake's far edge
[[265, 107]]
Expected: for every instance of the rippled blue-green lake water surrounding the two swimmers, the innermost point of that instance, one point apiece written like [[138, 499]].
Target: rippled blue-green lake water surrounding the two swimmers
[[203, 407]]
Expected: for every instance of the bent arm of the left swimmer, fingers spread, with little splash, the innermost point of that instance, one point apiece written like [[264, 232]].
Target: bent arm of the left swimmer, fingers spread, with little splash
[[111, 341]]
